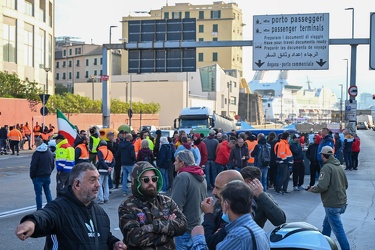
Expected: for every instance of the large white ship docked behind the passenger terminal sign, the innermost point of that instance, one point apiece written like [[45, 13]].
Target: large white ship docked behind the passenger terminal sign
[[284, 102]]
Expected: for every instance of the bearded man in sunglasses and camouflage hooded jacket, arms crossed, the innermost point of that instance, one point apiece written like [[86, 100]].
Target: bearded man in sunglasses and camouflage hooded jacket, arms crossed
[[149, 220]]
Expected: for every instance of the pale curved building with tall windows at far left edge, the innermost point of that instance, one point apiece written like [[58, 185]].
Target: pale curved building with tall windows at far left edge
[[27, 40]]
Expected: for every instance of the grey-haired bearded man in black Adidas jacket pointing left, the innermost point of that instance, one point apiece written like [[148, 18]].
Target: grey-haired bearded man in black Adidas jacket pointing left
[[74, 219]]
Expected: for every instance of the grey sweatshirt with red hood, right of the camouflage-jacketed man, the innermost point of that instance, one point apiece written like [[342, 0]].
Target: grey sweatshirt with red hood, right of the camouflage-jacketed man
[[189, 190]]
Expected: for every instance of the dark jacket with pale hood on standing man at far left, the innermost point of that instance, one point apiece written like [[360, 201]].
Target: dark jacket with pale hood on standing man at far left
[[42, 162]]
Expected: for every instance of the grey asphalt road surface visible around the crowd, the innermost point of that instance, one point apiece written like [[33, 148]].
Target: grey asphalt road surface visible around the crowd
[[17, 199]]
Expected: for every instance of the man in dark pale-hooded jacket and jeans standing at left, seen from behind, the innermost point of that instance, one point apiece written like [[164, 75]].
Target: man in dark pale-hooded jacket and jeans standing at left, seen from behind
[[41, 167]]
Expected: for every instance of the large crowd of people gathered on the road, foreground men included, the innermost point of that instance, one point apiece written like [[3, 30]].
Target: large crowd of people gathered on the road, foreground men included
[[239, 168]]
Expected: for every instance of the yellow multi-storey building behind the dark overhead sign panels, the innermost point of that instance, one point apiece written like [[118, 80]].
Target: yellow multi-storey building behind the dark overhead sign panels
[[219, 21]]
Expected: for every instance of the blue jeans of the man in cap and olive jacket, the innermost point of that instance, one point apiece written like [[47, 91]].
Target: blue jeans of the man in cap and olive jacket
[[332, 221]]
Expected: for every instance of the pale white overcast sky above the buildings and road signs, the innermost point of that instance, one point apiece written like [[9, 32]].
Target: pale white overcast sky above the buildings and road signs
[[90, 21]]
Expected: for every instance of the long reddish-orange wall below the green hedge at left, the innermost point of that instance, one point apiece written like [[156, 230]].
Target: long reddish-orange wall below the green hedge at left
[[13, 111]]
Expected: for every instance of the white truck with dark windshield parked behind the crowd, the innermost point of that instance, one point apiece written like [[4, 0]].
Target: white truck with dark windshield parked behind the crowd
[[201, 120]]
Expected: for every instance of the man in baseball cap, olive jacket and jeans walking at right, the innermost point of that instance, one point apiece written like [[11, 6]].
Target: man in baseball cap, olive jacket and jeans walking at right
[[332, 188]]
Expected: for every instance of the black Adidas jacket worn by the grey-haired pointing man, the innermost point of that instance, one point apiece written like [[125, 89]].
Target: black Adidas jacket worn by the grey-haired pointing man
[[73, 223]]
